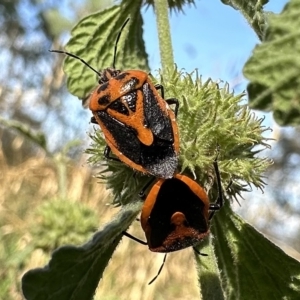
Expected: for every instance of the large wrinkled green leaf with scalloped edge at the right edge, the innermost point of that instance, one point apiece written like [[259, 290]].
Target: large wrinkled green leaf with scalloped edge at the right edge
[[274, 68]]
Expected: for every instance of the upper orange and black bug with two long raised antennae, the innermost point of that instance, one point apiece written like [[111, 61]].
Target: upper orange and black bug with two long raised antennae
[[139, 127]]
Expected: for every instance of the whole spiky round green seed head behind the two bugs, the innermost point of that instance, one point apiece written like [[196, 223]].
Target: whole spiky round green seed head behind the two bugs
[[208, 116]]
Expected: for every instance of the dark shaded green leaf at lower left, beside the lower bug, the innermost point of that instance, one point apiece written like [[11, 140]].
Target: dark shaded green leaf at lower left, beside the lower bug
[[73, 273]]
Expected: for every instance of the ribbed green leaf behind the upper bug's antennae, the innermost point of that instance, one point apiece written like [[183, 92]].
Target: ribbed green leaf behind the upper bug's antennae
[[93, 39]]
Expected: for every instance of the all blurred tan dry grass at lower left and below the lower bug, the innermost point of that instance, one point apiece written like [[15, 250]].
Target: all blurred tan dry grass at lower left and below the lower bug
[[132, 266]]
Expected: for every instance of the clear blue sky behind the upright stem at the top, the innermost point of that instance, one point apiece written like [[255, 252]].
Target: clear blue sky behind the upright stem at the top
[[212, 37]]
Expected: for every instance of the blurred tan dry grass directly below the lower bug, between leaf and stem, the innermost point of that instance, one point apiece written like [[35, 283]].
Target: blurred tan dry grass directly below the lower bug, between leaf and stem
[[133, 266]]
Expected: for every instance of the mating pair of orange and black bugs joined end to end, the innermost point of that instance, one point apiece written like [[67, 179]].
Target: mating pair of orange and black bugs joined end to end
[[141, 130]]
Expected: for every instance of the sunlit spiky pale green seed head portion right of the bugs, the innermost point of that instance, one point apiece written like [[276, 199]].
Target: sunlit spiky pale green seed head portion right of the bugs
[[211, 115]]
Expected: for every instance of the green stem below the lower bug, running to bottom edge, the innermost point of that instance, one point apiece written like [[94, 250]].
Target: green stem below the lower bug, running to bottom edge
[[208, 273]]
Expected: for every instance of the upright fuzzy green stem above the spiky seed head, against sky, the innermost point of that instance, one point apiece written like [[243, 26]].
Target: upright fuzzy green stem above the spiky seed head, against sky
[[164, 34]]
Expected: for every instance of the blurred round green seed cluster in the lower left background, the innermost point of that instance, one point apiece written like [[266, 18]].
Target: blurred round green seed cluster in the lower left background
[[59, 222]]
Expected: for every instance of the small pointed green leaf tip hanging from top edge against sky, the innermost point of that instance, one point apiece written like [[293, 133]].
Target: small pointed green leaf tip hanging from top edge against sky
[[252, 10]]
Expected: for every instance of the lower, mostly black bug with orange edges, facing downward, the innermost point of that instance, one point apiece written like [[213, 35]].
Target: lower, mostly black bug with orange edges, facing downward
[[176, 214]]
